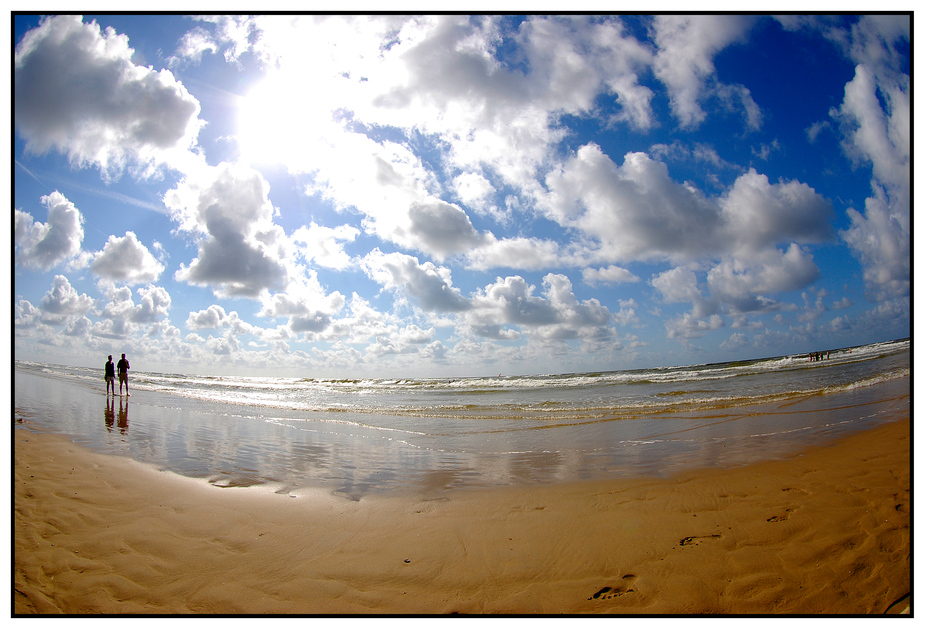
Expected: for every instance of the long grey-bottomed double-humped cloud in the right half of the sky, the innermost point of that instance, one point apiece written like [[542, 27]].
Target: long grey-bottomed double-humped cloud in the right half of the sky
[[638, 212]]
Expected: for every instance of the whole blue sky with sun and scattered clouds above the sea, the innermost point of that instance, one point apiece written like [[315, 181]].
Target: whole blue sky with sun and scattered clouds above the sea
[[455, 195]]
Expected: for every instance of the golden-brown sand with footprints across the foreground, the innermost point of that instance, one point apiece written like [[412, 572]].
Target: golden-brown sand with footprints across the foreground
[[825, 532]]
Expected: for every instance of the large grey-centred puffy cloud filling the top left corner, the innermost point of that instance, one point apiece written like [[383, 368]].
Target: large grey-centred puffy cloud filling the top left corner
[[75, 89]]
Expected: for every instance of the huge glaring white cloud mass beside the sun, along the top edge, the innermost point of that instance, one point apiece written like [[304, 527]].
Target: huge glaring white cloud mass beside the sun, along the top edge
[[444, 78]]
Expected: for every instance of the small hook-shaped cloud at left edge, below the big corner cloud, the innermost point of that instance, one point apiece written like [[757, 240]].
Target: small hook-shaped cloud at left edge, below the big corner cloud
[[58, 240]]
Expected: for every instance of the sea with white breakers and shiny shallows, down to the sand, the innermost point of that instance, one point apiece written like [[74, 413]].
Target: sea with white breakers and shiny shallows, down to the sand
[[354, 437]]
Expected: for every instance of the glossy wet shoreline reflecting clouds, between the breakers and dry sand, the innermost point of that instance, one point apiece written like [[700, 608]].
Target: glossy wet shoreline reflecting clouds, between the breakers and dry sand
[[354, 459]]
